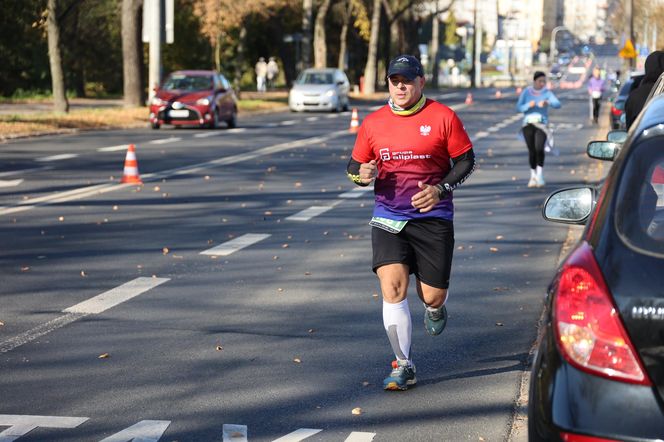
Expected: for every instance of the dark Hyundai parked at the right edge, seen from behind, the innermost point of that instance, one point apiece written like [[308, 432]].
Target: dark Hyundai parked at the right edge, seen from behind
[[598, 374]]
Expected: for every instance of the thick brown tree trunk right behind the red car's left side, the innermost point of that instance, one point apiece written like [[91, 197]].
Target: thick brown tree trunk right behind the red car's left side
[[131, 50]]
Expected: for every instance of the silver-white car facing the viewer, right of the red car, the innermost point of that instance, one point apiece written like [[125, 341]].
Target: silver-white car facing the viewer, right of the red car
[[320, 89]]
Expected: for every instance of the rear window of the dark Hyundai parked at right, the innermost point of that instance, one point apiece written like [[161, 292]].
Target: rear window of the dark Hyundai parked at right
[[640, 212]]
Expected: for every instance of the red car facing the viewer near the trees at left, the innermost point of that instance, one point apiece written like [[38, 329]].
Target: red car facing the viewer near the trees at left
[[194, 98]]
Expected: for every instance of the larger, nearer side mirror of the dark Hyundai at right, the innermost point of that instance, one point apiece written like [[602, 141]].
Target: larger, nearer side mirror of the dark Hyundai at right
[[569, 206]]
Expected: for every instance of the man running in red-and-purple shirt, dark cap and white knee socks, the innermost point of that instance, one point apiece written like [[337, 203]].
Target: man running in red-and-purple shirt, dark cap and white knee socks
[[416, 151]]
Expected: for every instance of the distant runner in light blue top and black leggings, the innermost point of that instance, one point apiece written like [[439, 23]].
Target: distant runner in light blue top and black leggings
[[534, 103]]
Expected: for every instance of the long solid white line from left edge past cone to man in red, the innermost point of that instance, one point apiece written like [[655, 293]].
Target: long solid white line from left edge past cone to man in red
[[99, 189]]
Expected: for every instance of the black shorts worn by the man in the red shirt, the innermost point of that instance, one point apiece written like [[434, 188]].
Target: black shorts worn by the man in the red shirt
[[425, 245]]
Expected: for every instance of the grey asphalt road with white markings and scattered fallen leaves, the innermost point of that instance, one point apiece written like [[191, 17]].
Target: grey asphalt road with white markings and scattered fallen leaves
[[231, 295]]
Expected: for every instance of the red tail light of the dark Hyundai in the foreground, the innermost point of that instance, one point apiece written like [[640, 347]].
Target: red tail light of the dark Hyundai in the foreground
[[588, 328]]
